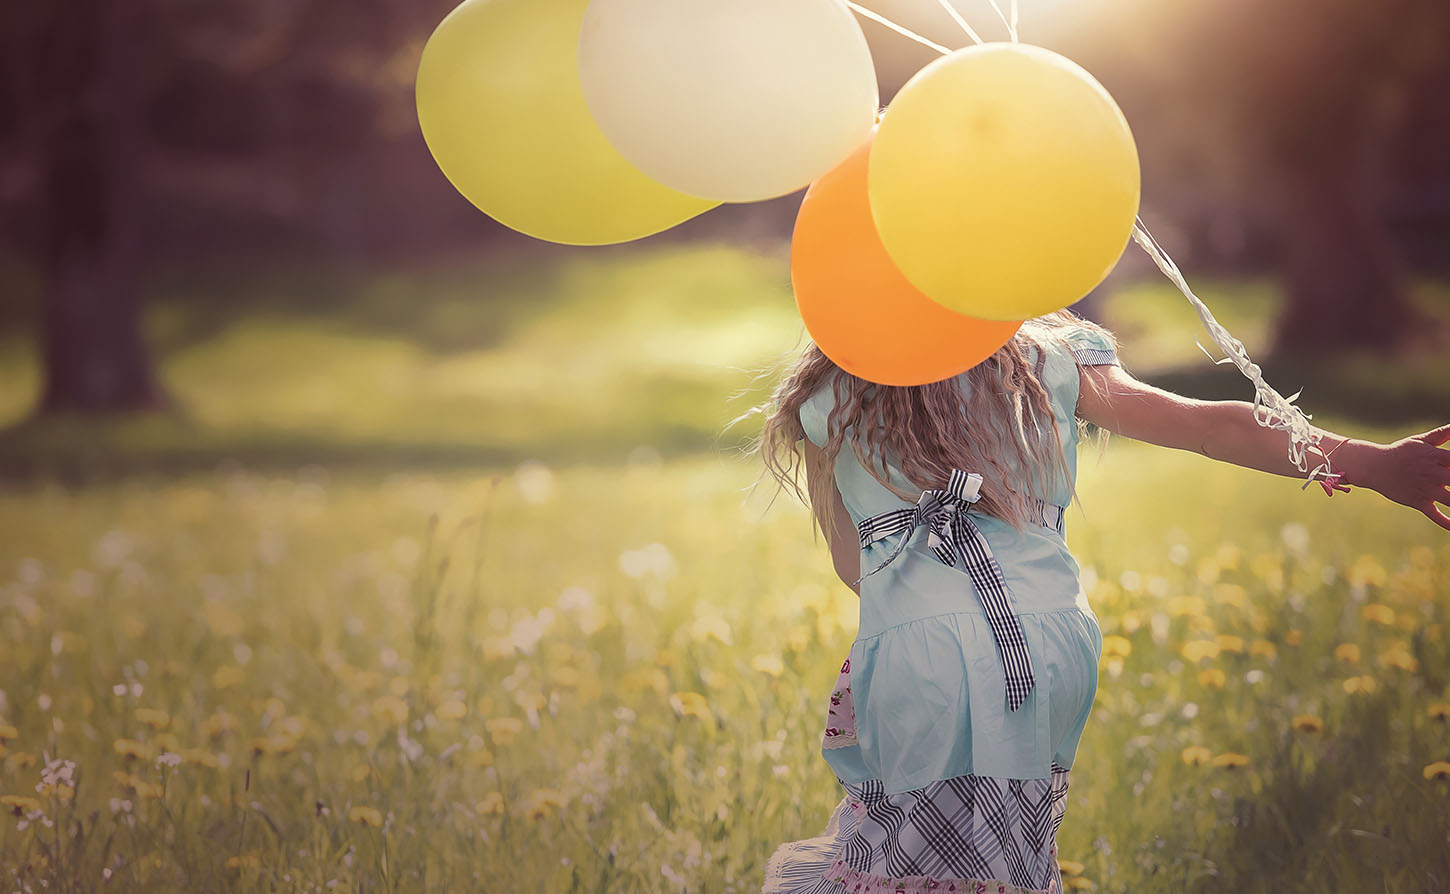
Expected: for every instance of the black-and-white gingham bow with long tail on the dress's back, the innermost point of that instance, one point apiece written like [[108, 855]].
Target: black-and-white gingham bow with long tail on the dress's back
[[953, 535]]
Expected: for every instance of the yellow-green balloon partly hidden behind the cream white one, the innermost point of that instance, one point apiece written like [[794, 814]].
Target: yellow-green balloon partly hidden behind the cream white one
[[504, 115]]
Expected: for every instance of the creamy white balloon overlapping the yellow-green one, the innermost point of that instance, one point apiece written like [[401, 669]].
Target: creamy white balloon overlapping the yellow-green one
[[734, 101]]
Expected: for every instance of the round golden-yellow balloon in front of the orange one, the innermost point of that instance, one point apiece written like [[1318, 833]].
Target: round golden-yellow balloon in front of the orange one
[[1004, 182]]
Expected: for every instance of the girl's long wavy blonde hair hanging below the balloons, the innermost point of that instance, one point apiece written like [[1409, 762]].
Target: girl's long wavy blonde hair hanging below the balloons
[[1001, 422]]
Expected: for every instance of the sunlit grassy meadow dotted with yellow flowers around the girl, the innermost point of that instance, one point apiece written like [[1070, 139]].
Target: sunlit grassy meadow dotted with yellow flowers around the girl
[[455, 601]]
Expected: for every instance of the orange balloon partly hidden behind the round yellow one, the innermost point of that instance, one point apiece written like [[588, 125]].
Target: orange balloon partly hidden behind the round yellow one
[[861, 309]]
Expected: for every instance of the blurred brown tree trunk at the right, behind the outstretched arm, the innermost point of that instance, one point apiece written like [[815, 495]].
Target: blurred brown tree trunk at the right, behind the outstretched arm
[[1317, 93]]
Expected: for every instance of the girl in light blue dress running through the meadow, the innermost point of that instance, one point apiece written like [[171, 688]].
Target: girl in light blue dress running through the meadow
[[958, 714]]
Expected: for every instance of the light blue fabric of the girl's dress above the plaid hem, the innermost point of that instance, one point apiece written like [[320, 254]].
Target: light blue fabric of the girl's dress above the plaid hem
[[926, 676]]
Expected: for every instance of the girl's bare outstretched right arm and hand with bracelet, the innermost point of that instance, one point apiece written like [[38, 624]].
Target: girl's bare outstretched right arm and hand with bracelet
[[1413, 472]]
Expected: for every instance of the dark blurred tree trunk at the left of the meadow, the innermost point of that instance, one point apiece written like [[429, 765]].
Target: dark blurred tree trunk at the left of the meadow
[[89, 144]]
